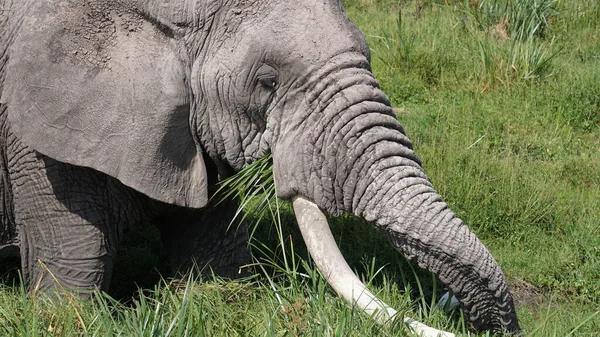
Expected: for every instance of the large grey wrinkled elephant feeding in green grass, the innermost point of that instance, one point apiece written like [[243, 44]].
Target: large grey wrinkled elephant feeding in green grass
[[115, 112]]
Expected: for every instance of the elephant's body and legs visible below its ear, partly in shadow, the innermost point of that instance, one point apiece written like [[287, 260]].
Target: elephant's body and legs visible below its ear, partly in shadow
[[71, 219]]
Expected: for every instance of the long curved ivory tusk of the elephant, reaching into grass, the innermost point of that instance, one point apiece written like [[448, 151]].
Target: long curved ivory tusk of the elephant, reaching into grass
[[330, 262]]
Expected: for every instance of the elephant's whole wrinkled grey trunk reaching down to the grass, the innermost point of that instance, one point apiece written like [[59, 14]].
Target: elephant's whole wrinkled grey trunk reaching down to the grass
[[351, 155]]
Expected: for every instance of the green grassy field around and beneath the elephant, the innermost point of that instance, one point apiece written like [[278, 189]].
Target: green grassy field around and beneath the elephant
[[502, 102]]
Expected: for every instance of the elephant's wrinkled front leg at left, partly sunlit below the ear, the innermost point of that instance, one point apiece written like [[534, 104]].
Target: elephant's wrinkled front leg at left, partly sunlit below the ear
[[70, 221]]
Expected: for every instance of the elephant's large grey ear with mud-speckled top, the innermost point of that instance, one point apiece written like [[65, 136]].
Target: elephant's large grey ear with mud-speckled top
[[106, 89]]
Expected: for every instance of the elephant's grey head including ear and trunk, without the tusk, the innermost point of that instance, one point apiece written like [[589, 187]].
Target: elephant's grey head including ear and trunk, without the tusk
[[168, 96]]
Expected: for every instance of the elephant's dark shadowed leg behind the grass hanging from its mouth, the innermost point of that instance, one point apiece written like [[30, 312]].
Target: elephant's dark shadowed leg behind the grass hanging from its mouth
[[207, 239]]
